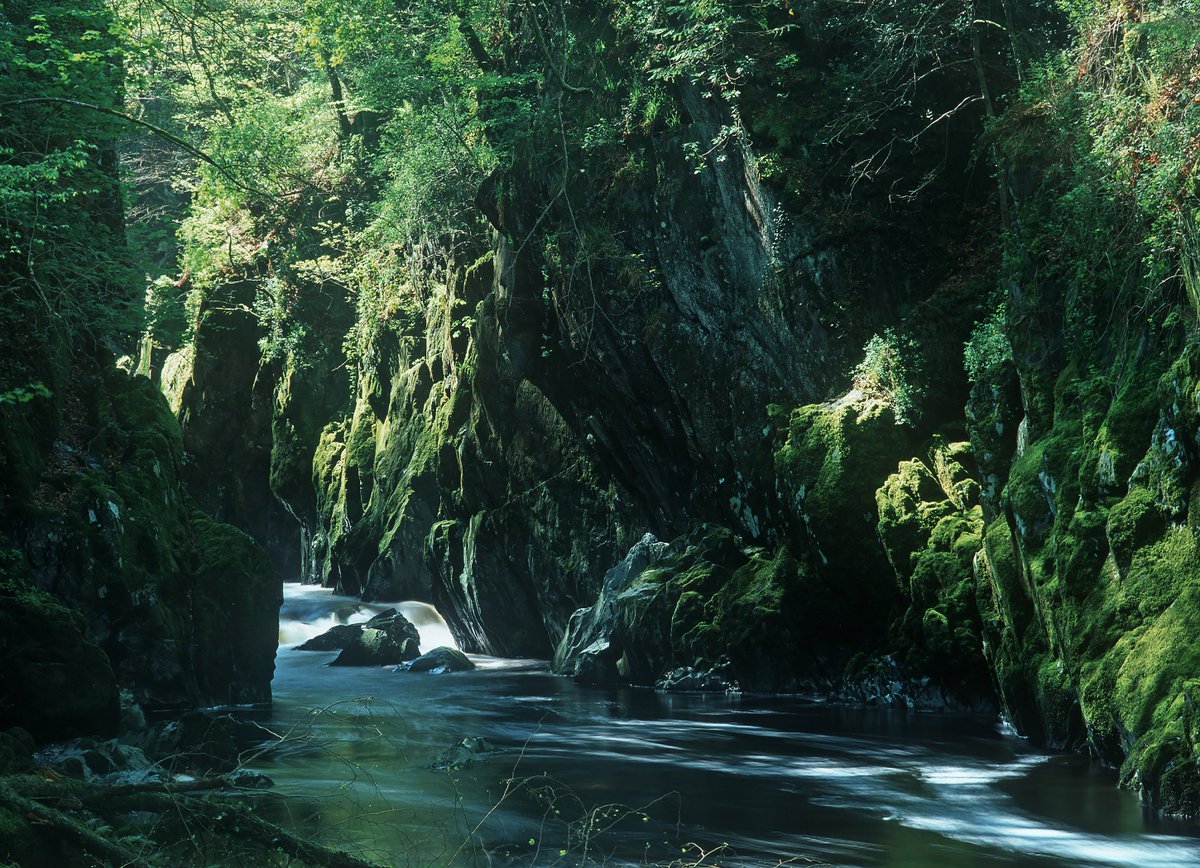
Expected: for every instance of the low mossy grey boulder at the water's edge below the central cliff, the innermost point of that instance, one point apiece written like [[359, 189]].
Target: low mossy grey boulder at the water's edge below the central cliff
[[707, 604]]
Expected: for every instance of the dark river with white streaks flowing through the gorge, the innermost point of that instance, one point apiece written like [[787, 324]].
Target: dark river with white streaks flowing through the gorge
[[575, 776]]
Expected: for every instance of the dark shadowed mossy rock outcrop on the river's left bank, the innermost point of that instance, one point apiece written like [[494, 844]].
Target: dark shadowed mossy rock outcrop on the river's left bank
[[172, 606]]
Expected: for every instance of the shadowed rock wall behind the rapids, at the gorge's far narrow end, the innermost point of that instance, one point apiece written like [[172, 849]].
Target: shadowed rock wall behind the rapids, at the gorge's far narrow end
[[251, 426]]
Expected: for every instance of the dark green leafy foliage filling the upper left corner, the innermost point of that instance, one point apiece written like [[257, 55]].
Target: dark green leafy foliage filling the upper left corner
[[61, 229]]
